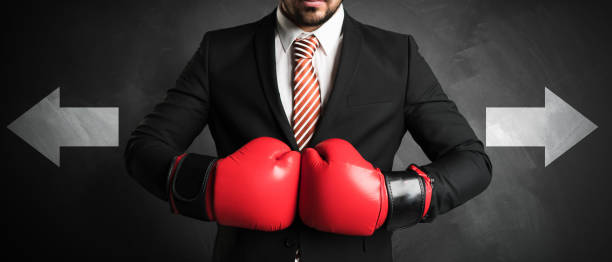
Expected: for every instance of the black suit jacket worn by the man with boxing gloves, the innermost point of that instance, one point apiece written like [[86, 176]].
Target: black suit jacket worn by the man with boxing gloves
[[383, 89]]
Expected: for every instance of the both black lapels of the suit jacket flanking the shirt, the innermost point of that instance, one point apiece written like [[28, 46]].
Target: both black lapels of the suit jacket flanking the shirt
[[349, 58]]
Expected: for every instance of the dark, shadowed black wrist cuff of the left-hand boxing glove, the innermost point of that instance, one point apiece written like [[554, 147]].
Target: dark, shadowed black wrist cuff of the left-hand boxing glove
[[187, 184]]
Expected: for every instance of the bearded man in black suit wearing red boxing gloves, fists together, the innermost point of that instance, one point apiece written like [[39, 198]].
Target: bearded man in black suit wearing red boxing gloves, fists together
[[307, 107]]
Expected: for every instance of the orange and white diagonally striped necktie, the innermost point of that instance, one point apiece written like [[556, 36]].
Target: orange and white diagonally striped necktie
[[306, 93]]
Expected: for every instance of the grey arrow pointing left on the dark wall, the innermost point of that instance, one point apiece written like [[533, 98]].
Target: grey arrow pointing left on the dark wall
[[47, 126]]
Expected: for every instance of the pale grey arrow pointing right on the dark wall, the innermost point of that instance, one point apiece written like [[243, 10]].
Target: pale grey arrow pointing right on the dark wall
[[557, 126]]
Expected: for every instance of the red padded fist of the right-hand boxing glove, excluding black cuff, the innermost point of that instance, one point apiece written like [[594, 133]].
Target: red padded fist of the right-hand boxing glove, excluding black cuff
[[340, 192]]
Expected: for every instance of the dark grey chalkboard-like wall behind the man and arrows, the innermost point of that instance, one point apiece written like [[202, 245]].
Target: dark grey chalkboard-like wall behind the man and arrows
[[484, 52]]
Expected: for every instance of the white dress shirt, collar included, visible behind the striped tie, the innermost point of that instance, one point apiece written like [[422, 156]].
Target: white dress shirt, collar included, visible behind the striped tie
[[325, 58]]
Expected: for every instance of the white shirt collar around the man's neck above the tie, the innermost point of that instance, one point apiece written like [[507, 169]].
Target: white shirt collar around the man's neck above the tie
[[328, 34]]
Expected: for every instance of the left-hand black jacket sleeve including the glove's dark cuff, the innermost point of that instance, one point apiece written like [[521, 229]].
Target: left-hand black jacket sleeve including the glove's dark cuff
[[154, 153]]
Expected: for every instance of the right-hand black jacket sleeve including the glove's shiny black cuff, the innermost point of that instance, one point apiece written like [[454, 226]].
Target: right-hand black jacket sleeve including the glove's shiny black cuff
[[459, 168]]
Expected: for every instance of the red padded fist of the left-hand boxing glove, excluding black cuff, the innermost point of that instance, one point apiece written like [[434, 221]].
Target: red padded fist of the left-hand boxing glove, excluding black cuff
[[256, 186]]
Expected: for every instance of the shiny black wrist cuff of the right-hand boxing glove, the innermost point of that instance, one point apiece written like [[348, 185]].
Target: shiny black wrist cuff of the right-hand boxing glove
[[409, 196]]
